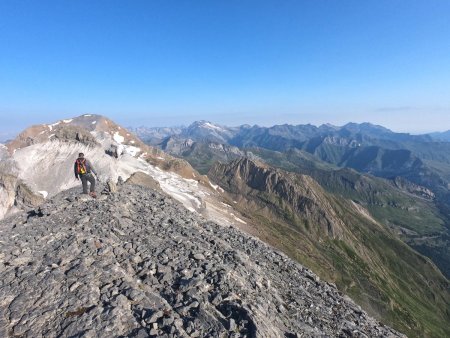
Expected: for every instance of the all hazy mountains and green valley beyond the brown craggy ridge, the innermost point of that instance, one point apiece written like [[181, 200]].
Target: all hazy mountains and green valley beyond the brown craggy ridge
[[418, 164]]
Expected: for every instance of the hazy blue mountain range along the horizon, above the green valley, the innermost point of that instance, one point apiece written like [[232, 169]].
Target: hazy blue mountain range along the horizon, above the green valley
[[364, 147]]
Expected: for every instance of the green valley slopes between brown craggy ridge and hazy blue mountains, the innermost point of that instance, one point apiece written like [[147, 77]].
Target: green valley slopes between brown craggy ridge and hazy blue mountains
[[412, 211]]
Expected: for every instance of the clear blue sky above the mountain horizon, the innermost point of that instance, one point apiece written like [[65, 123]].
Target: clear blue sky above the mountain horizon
[[260, 62]]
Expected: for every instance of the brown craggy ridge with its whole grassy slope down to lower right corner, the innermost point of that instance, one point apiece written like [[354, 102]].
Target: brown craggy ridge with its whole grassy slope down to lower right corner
[[339, 239]]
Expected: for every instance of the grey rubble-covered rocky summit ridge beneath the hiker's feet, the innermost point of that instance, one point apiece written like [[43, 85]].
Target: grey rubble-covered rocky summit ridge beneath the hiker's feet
[[136, 263]]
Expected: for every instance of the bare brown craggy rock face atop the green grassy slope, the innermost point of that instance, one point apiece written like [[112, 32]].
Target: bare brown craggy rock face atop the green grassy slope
[[299, 192]]
